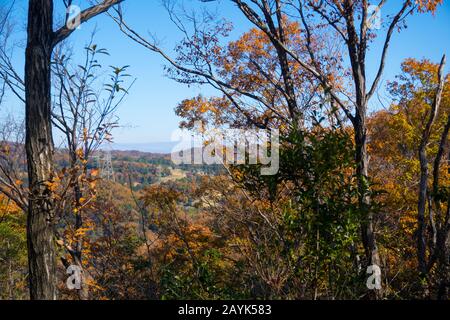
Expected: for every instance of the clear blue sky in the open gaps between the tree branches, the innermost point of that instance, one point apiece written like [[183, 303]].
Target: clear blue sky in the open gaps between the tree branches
[[148, 112]]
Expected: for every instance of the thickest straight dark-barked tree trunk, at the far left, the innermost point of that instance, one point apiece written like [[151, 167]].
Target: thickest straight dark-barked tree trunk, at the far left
[[39, 149]]
